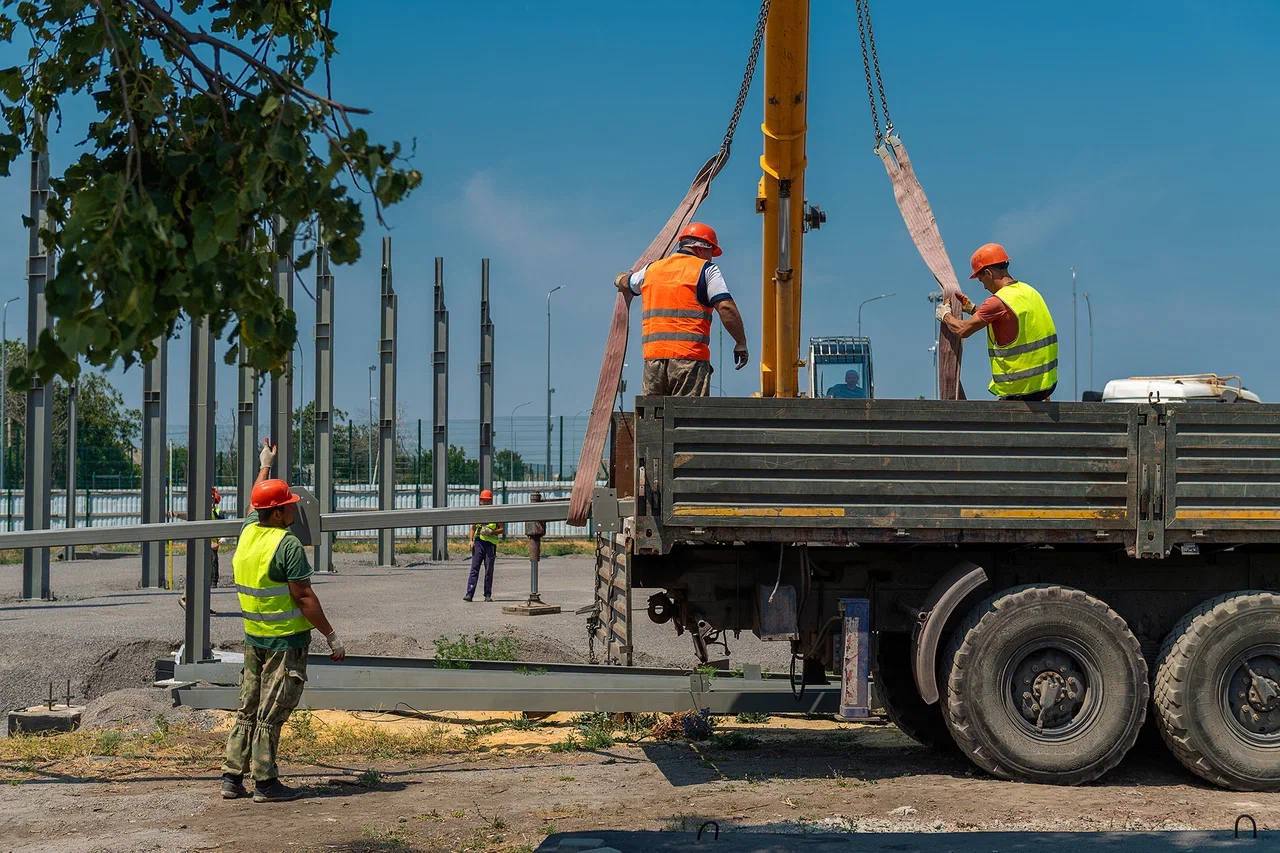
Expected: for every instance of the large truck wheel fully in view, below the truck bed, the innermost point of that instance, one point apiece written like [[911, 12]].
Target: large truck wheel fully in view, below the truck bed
[[1046, 685]]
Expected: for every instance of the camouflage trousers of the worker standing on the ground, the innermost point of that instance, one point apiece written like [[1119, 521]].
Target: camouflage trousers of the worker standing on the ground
[[271, 688]]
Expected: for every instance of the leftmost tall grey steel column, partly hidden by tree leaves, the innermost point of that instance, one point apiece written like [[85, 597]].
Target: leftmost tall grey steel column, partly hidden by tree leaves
[[39, 435]]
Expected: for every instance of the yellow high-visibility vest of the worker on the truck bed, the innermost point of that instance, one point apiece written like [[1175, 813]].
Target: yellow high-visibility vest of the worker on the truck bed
[[1030, 362]]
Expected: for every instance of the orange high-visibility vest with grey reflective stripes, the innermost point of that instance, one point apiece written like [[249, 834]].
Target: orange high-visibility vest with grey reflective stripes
[[676, 326]]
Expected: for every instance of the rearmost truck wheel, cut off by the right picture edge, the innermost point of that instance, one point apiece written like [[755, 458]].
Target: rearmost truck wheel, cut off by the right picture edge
[[1218, 691]]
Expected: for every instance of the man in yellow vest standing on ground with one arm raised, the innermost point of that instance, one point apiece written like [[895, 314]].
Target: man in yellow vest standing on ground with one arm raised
[[280, 609]]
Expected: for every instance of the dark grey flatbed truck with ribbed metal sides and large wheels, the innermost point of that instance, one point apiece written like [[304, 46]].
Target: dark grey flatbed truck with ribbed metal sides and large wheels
[[1041, 580]]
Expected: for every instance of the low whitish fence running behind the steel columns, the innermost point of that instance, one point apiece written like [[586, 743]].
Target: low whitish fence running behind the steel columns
[[118, 508]]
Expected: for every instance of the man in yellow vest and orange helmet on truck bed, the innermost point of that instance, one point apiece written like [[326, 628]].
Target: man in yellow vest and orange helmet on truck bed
[[1022, 339]]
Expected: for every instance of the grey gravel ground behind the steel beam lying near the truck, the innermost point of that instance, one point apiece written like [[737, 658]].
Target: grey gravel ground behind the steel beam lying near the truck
[[104, 633]]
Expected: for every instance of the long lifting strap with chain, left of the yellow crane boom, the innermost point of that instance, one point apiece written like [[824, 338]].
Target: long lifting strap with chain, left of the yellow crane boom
[[616, 344]]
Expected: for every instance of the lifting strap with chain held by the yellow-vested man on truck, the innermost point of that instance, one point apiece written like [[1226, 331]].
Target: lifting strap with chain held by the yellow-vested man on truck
[[915, 207]]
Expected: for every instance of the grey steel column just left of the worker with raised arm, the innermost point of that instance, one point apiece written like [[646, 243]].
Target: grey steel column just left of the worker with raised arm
[[200, 480]]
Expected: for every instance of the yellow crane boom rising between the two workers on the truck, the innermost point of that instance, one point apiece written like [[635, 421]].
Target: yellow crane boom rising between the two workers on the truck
[[781, 195]]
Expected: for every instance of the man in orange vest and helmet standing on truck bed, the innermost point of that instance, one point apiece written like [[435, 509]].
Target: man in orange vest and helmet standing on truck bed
[[679, 295]]
